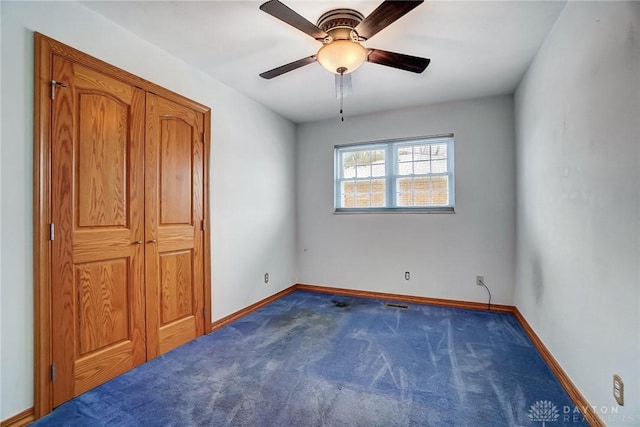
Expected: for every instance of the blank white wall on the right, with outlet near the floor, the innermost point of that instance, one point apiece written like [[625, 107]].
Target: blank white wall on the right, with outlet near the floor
[[578, 149]]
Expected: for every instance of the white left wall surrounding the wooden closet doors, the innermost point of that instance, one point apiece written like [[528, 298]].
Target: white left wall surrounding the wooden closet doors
[[252, 177]]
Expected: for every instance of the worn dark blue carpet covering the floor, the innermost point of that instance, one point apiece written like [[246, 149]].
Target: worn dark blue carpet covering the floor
[[312, 359]]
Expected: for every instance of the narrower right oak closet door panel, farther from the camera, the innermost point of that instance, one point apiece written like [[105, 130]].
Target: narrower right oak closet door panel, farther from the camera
[[174, 176]]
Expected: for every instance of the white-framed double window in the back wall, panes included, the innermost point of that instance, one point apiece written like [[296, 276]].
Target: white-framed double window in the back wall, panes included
[[395, 176]]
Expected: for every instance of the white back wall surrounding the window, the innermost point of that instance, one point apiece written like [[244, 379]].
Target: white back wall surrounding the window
[[443, 252]]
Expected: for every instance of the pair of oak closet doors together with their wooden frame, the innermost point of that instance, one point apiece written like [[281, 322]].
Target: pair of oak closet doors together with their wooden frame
[[120, 272]]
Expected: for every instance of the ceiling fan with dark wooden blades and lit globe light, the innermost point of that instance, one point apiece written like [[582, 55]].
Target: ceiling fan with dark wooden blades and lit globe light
[[341, 31]]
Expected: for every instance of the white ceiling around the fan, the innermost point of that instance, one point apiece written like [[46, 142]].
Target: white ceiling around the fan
[[477, 48]]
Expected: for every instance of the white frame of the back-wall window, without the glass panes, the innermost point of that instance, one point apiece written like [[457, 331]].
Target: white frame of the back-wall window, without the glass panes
[[391, 174]]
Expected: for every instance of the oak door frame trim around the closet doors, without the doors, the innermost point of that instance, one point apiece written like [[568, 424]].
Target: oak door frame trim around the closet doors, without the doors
[[45, 48]]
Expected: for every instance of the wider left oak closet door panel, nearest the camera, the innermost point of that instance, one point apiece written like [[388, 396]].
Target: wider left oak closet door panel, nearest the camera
[[97, 252]]
